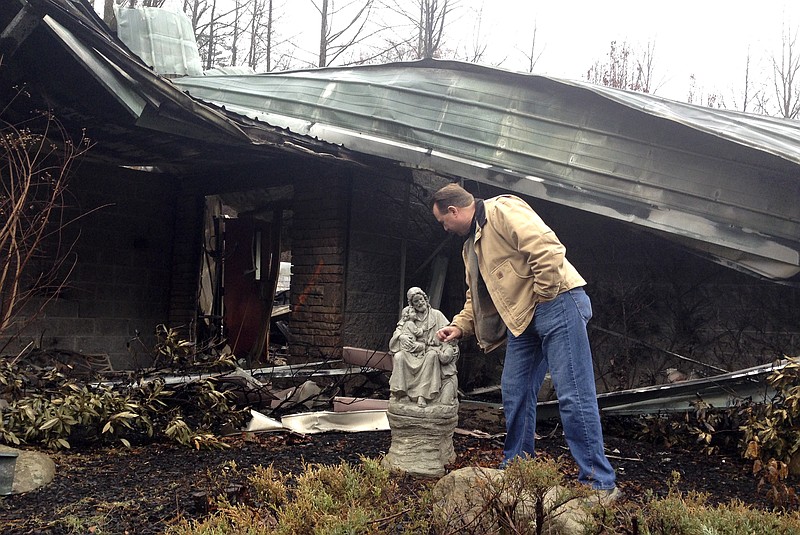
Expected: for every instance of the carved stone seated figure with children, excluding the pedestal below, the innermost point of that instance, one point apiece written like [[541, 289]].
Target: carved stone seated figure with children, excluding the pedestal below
[[424, 369]]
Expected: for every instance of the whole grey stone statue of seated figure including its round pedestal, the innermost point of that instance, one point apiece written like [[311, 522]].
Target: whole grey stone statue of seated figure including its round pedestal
[[423, 405]]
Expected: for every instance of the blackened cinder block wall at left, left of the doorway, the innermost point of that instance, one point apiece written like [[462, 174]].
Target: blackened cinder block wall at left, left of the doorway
[[121, 280]]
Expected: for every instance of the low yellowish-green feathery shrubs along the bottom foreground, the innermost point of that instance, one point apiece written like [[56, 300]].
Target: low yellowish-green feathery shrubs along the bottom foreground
[[367, 499]]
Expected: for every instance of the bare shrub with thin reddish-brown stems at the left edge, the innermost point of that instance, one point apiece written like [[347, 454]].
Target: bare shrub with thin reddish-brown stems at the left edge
[[35, 162]]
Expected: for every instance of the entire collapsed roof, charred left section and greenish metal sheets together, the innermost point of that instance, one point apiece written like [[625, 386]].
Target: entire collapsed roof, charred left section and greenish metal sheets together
[[722, 183]]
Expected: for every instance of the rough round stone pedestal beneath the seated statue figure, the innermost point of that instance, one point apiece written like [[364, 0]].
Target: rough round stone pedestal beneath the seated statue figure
[[422, 437]]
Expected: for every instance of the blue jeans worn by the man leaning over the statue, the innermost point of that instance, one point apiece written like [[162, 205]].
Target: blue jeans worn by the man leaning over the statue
[[556, 338]]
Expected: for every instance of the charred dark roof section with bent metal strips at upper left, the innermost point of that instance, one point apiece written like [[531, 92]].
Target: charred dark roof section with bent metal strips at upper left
[[65, 57]]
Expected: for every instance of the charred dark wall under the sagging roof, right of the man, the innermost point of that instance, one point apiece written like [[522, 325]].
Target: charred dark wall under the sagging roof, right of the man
[[653, 300]]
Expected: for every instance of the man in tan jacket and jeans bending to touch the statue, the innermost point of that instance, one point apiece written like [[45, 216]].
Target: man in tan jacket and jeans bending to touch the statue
[[522, 287]]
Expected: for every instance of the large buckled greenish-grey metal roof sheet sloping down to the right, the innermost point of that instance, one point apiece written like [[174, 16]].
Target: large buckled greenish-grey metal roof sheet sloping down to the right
[[724, 183]]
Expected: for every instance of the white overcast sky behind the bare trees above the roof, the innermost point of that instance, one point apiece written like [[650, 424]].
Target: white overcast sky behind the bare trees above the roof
[[707, 38]]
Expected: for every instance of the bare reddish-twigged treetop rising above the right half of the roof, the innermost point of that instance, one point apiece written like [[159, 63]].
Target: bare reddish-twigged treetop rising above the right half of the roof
[[624, 70]]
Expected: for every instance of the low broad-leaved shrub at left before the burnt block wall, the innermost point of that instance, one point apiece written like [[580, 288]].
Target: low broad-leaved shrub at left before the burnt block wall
[[45, 406]]
